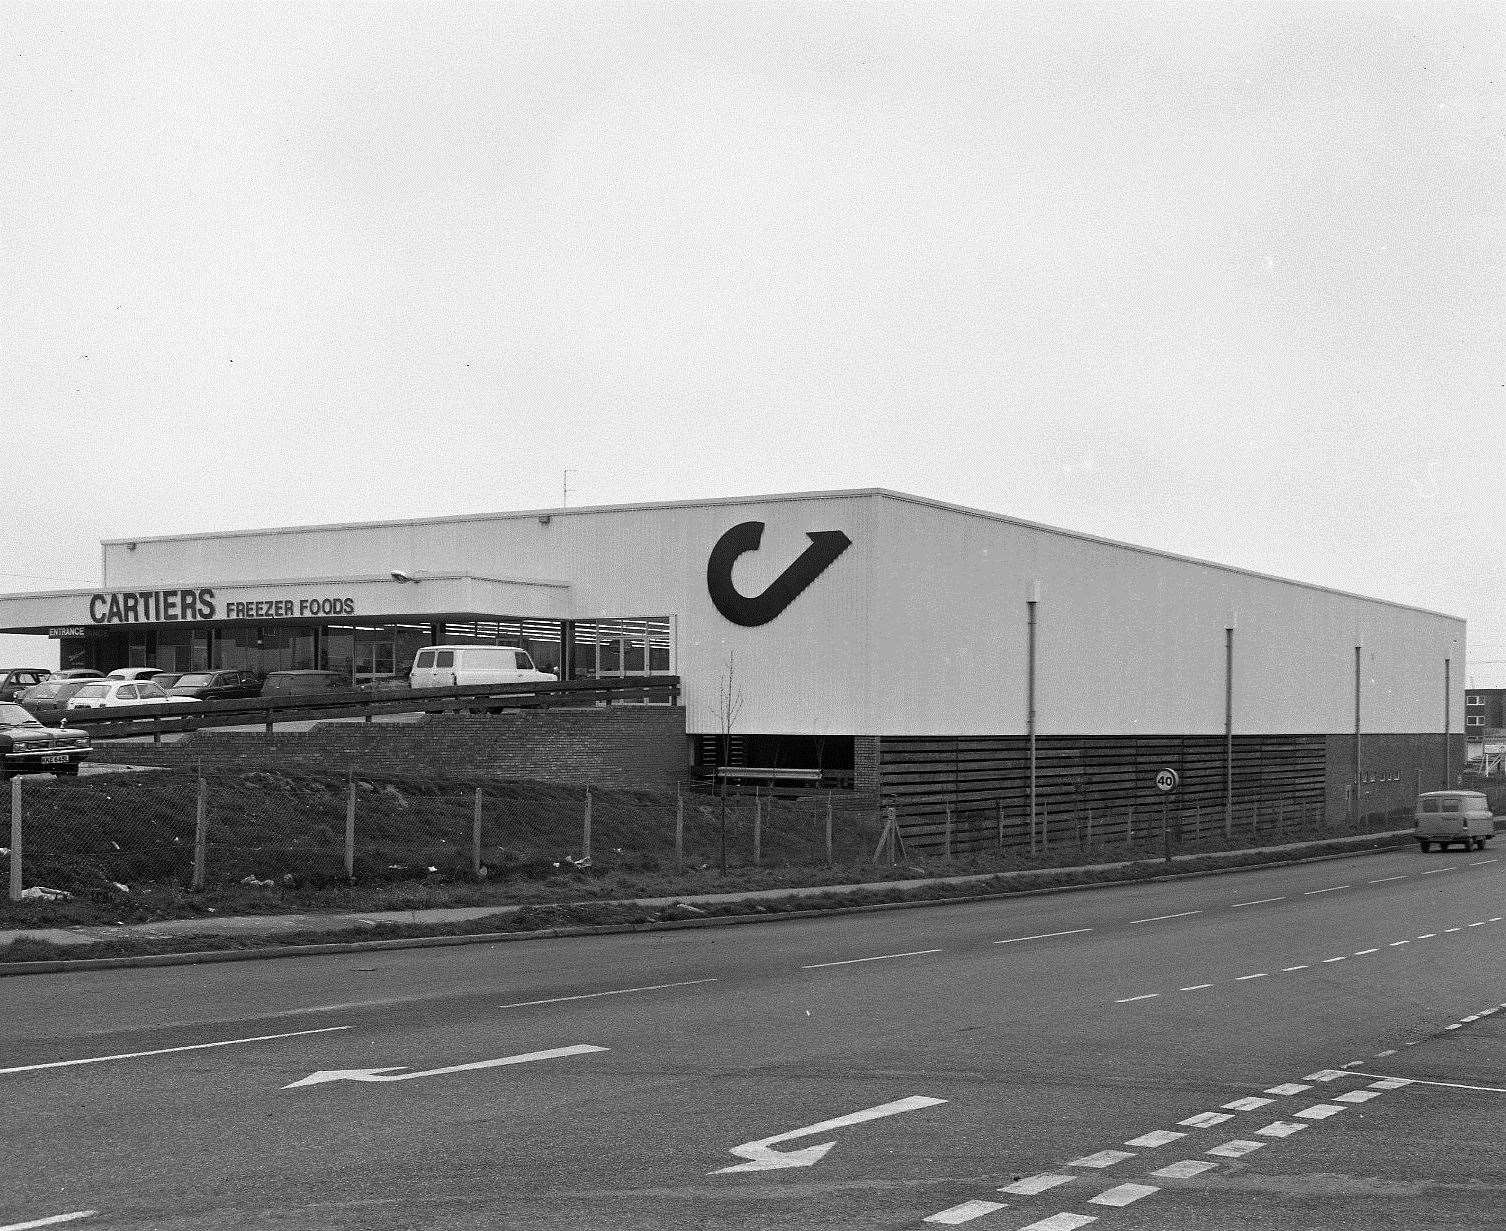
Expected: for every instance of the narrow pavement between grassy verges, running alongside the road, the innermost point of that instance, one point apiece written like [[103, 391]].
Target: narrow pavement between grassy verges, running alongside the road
[[243, 926]]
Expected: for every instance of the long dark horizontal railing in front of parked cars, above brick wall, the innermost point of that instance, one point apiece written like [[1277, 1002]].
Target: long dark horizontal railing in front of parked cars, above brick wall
[[159, 719]]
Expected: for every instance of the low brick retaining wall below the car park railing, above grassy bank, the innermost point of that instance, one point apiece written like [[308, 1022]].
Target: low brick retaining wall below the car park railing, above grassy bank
[[627, 748]]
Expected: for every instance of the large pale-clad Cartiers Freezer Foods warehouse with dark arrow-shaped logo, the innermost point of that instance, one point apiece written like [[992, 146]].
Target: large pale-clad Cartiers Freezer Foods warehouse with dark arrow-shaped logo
[[903, 646]]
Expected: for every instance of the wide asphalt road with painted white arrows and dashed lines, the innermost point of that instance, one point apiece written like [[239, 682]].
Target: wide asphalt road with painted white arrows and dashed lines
[[1219, 1052]]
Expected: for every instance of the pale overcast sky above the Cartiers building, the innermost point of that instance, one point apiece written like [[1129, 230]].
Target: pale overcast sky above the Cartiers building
[[1222, 279]]
